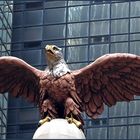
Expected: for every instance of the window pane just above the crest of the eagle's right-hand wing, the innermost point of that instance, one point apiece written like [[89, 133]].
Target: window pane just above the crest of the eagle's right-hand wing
[[119, 47]]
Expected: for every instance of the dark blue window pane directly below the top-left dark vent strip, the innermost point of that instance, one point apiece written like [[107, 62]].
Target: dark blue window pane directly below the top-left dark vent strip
[[33, 17]]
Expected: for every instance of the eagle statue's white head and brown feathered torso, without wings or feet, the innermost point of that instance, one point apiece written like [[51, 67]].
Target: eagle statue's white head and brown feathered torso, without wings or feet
[[58, 87]]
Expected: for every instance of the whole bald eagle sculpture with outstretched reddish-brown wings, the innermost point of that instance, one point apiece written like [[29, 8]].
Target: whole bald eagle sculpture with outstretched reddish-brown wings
[[62, 93]]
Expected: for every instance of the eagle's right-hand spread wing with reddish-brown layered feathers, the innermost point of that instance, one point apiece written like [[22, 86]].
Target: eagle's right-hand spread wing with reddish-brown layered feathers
[[110, 78]]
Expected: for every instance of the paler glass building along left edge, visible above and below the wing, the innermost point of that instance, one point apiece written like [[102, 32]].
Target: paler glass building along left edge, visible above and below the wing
[[5, 47]]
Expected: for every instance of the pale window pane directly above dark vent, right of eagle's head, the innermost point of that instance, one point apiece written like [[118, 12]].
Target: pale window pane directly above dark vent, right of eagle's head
[[99, 28]]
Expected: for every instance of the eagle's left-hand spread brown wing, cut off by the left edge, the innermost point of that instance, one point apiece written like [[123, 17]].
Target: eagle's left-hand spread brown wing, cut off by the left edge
[[19, 78]]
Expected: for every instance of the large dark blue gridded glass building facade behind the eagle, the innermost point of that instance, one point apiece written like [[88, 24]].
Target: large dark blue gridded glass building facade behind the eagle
[[84, 30]]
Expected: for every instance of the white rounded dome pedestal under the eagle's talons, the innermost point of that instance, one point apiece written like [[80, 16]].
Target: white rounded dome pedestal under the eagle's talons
[[58, 129]]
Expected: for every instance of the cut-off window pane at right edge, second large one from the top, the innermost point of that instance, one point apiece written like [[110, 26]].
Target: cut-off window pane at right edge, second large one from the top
[[134, 25]]
